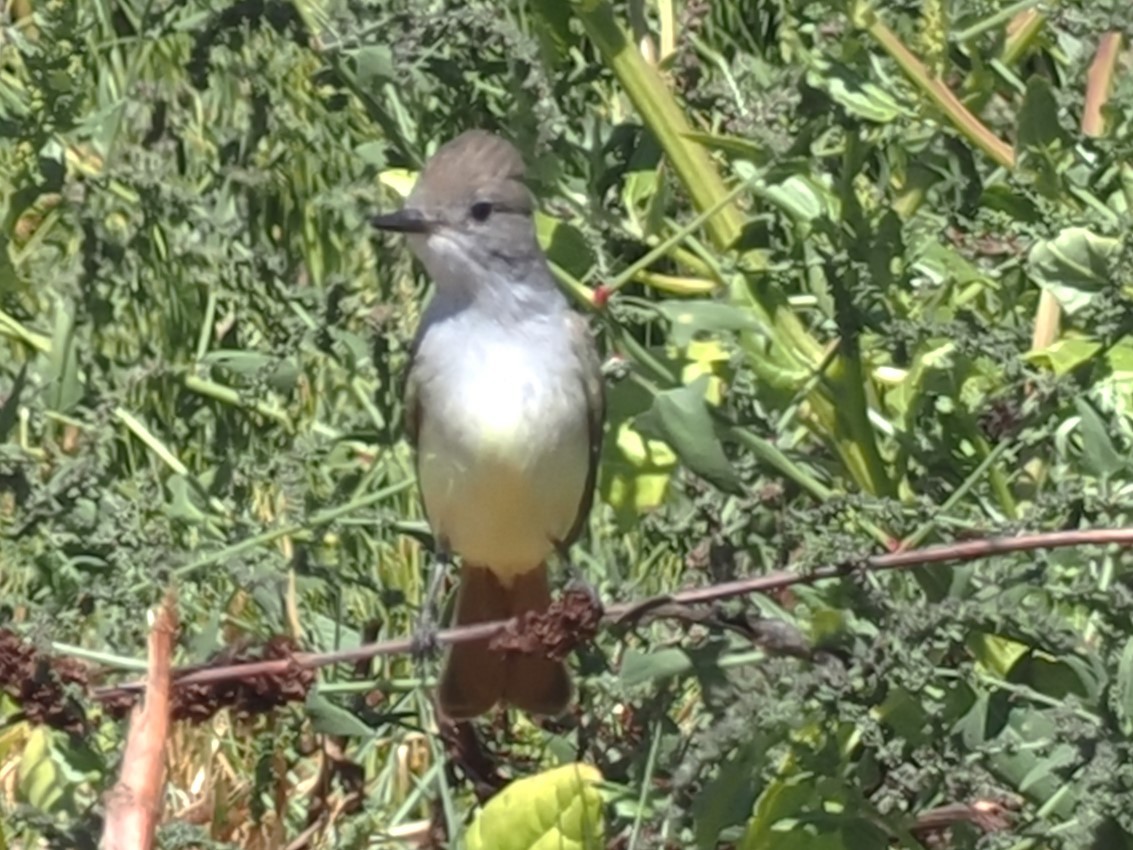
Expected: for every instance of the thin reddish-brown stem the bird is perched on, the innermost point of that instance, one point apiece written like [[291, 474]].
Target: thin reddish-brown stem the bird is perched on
[[662, 606]]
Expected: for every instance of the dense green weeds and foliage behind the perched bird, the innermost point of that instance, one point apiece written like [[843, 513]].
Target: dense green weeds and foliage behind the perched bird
[[866, 279]]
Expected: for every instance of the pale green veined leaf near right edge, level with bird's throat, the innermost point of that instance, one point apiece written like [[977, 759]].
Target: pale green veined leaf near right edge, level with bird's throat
[[1075, 267]]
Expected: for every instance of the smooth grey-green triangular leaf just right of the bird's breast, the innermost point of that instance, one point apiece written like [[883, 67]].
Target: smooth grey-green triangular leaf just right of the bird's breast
[[681, 419]]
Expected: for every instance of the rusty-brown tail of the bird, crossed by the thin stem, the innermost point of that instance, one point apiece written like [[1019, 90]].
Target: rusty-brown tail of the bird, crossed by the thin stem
[[475, 678]]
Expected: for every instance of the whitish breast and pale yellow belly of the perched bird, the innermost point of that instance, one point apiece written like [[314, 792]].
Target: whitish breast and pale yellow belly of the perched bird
[[504, 446]]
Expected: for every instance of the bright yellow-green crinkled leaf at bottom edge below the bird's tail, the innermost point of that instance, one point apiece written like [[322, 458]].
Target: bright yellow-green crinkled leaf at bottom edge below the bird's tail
[[559, 810]]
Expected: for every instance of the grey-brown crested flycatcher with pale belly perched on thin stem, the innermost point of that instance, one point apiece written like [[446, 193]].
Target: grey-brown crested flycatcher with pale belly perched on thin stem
[[505, 405]]
